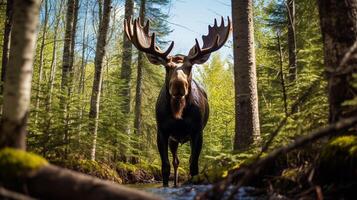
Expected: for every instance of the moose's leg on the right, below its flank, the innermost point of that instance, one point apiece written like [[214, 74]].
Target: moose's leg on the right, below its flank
[[196, 146]]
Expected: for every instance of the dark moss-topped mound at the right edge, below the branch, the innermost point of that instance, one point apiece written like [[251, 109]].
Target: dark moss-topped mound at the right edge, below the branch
[[338, 159]]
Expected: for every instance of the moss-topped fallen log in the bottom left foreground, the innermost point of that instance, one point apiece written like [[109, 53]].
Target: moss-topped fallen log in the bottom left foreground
[[32, 176]]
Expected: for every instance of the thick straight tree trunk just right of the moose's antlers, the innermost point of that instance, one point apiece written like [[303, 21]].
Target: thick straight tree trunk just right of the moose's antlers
[[247, 129]]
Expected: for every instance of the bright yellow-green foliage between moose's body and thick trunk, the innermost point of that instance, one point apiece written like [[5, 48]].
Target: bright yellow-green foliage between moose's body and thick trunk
[[217, 79]]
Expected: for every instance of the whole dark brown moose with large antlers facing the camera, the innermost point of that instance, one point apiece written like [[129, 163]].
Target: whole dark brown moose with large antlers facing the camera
[[182, 106]]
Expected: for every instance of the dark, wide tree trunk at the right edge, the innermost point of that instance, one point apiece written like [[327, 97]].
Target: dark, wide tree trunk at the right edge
[[339, 29]]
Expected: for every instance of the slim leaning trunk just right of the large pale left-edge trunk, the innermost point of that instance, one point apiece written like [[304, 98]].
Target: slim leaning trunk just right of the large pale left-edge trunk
[[40, 68]]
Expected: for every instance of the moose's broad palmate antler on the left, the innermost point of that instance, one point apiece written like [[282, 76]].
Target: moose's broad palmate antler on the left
[[140, 37]]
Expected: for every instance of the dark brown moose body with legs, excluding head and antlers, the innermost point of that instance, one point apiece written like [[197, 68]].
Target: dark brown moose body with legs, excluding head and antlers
[[172, 131]]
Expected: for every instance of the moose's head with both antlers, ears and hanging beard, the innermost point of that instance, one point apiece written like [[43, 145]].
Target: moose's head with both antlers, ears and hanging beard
[[178, 67]]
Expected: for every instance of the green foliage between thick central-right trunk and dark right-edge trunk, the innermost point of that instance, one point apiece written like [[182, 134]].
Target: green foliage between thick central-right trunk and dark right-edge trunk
[[312, 110]]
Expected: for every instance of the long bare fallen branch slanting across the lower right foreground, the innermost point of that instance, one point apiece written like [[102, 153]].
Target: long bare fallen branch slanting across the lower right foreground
[[248, 172]]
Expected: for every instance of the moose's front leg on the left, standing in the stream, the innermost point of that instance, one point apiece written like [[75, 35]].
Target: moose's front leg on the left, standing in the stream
[[162, 143]]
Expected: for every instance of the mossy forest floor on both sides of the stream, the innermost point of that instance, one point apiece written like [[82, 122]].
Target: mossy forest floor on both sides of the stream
[[314, 172]]
